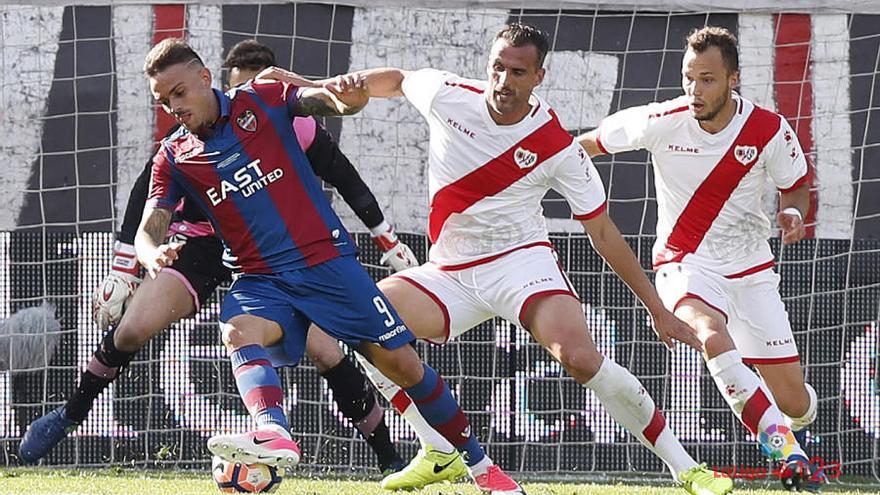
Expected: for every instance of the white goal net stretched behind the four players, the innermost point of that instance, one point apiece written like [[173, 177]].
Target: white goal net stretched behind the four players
[[80, 125]]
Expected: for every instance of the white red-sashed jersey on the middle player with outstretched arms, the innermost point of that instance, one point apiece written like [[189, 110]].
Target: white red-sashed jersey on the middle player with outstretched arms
[[486, 181]]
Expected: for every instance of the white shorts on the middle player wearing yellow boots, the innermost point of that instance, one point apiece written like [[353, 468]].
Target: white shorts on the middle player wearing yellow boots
[[502, 286]]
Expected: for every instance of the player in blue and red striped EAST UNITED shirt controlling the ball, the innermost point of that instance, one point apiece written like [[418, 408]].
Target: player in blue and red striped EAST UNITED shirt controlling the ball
[[239, 158]]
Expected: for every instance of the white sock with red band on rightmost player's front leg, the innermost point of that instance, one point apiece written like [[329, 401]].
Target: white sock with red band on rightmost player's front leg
[[745, 393]]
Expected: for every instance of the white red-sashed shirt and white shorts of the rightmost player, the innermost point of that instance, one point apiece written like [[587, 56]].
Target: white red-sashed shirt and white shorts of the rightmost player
[[709, 217]]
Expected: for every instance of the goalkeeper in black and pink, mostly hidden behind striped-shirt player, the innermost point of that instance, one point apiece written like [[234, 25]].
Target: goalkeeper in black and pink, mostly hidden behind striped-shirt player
[[200, 270]]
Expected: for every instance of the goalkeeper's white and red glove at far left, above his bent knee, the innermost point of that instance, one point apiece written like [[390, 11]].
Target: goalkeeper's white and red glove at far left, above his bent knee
[[113, 293]]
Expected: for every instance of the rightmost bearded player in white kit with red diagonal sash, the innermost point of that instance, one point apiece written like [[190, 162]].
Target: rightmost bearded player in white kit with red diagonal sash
[[712, 151]]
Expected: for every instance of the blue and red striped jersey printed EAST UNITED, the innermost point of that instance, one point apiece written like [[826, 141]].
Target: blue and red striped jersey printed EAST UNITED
[[253, 181]]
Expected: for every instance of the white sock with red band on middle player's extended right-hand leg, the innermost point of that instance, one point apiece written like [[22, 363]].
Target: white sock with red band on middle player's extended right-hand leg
[[627, 401]]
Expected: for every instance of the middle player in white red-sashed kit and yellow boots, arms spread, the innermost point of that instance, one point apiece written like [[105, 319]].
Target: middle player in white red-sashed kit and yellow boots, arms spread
[[495, 150]]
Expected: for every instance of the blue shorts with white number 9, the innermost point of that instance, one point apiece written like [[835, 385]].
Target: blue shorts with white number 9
[[337, 295]]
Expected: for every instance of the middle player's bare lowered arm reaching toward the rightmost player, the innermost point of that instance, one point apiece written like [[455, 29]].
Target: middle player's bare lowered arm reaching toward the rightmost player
[[610, 244]]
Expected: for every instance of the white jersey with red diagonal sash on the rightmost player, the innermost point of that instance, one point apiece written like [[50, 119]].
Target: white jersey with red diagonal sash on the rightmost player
[[710, 186]]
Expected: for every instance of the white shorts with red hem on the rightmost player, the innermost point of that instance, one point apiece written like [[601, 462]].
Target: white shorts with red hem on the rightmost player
[[756, 317]]
